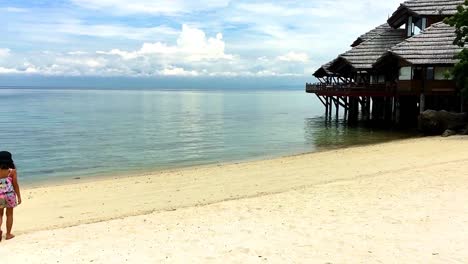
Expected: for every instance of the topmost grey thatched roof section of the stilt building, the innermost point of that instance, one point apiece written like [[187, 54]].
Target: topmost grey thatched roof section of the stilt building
[[423, 8]]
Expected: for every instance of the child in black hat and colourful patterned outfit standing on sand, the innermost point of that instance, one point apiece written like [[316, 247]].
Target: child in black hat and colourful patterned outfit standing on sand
[[10, 195]]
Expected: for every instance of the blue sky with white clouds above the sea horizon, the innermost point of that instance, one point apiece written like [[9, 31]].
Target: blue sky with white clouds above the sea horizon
[[177, 39]]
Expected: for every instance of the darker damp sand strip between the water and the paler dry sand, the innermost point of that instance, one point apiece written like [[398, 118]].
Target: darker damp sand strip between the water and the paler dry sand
[[169, 190]]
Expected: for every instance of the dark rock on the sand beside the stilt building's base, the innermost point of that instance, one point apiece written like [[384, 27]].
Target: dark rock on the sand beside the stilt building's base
[[433, 122]]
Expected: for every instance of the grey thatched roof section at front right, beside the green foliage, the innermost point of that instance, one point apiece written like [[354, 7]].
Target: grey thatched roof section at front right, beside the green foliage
[[433, 46]]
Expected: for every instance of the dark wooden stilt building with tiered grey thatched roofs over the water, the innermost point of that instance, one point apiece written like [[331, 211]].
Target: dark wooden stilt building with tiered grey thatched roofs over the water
[[396, 70]]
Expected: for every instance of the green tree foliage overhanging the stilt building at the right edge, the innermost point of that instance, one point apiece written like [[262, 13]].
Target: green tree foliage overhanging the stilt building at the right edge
[[460, 22]]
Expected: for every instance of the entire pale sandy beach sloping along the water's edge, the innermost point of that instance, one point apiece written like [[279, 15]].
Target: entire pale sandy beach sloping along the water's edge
[[397, 202]]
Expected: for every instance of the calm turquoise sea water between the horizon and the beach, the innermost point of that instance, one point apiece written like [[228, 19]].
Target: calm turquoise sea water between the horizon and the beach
[[57, 134]]
